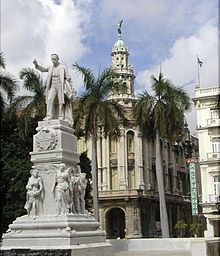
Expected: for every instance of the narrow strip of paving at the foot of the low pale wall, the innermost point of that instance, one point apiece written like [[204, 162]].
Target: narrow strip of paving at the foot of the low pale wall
[[152, 253]]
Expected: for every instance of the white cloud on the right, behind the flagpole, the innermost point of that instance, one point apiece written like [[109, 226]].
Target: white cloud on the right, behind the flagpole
[[181, 65]]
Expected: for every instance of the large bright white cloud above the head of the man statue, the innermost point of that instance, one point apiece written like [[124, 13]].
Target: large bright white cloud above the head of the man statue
[[35, 29]]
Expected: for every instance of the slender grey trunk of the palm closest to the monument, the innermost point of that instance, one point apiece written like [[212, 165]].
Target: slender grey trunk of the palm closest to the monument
[[95, 178]]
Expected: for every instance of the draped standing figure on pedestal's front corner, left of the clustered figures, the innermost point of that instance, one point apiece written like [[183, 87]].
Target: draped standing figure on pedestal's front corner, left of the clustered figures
[[61, 190]]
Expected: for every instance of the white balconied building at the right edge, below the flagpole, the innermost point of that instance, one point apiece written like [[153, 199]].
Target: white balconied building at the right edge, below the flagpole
[[208, 129]]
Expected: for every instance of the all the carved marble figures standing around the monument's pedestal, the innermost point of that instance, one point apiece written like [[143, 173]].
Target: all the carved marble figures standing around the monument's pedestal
[[69, 189]]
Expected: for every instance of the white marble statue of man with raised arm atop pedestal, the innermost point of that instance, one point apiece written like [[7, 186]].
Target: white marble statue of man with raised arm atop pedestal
[[58, 88]]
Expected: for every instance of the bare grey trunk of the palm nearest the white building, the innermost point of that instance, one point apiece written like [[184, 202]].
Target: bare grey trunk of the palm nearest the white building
[[160, 183]]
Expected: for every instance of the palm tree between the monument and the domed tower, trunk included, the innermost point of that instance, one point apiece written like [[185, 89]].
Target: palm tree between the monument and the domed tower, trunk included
[[95, 110]]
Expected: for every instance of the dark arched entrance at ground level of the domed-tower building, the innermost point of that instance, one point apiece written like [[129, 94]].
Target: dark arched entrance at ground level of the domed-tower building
[[115, 223]]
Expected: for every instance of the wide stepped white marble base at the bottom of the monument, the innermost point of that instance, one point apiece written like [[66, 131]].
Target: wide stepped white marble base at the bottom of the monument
[[51, 235]]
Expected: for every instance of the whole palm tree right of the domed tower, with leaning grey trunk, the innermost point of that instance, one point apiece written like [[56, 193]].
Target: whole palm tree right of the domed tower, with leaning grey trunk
[[161, 115]]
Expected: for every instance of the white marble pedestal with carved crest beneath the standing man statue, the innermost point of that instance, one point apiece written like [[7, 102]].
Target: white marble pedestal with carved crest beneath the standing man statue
[[55, 144]]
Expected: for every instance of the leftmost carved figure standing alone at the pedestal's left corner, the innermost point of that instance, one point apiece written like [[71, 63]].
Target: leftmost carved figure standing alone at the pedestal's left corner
[[34, 193]]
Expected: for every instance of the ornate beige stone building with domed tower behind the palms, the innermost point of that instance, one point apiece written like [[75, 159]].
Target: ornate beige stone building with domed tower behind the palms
[[128, 194]]
